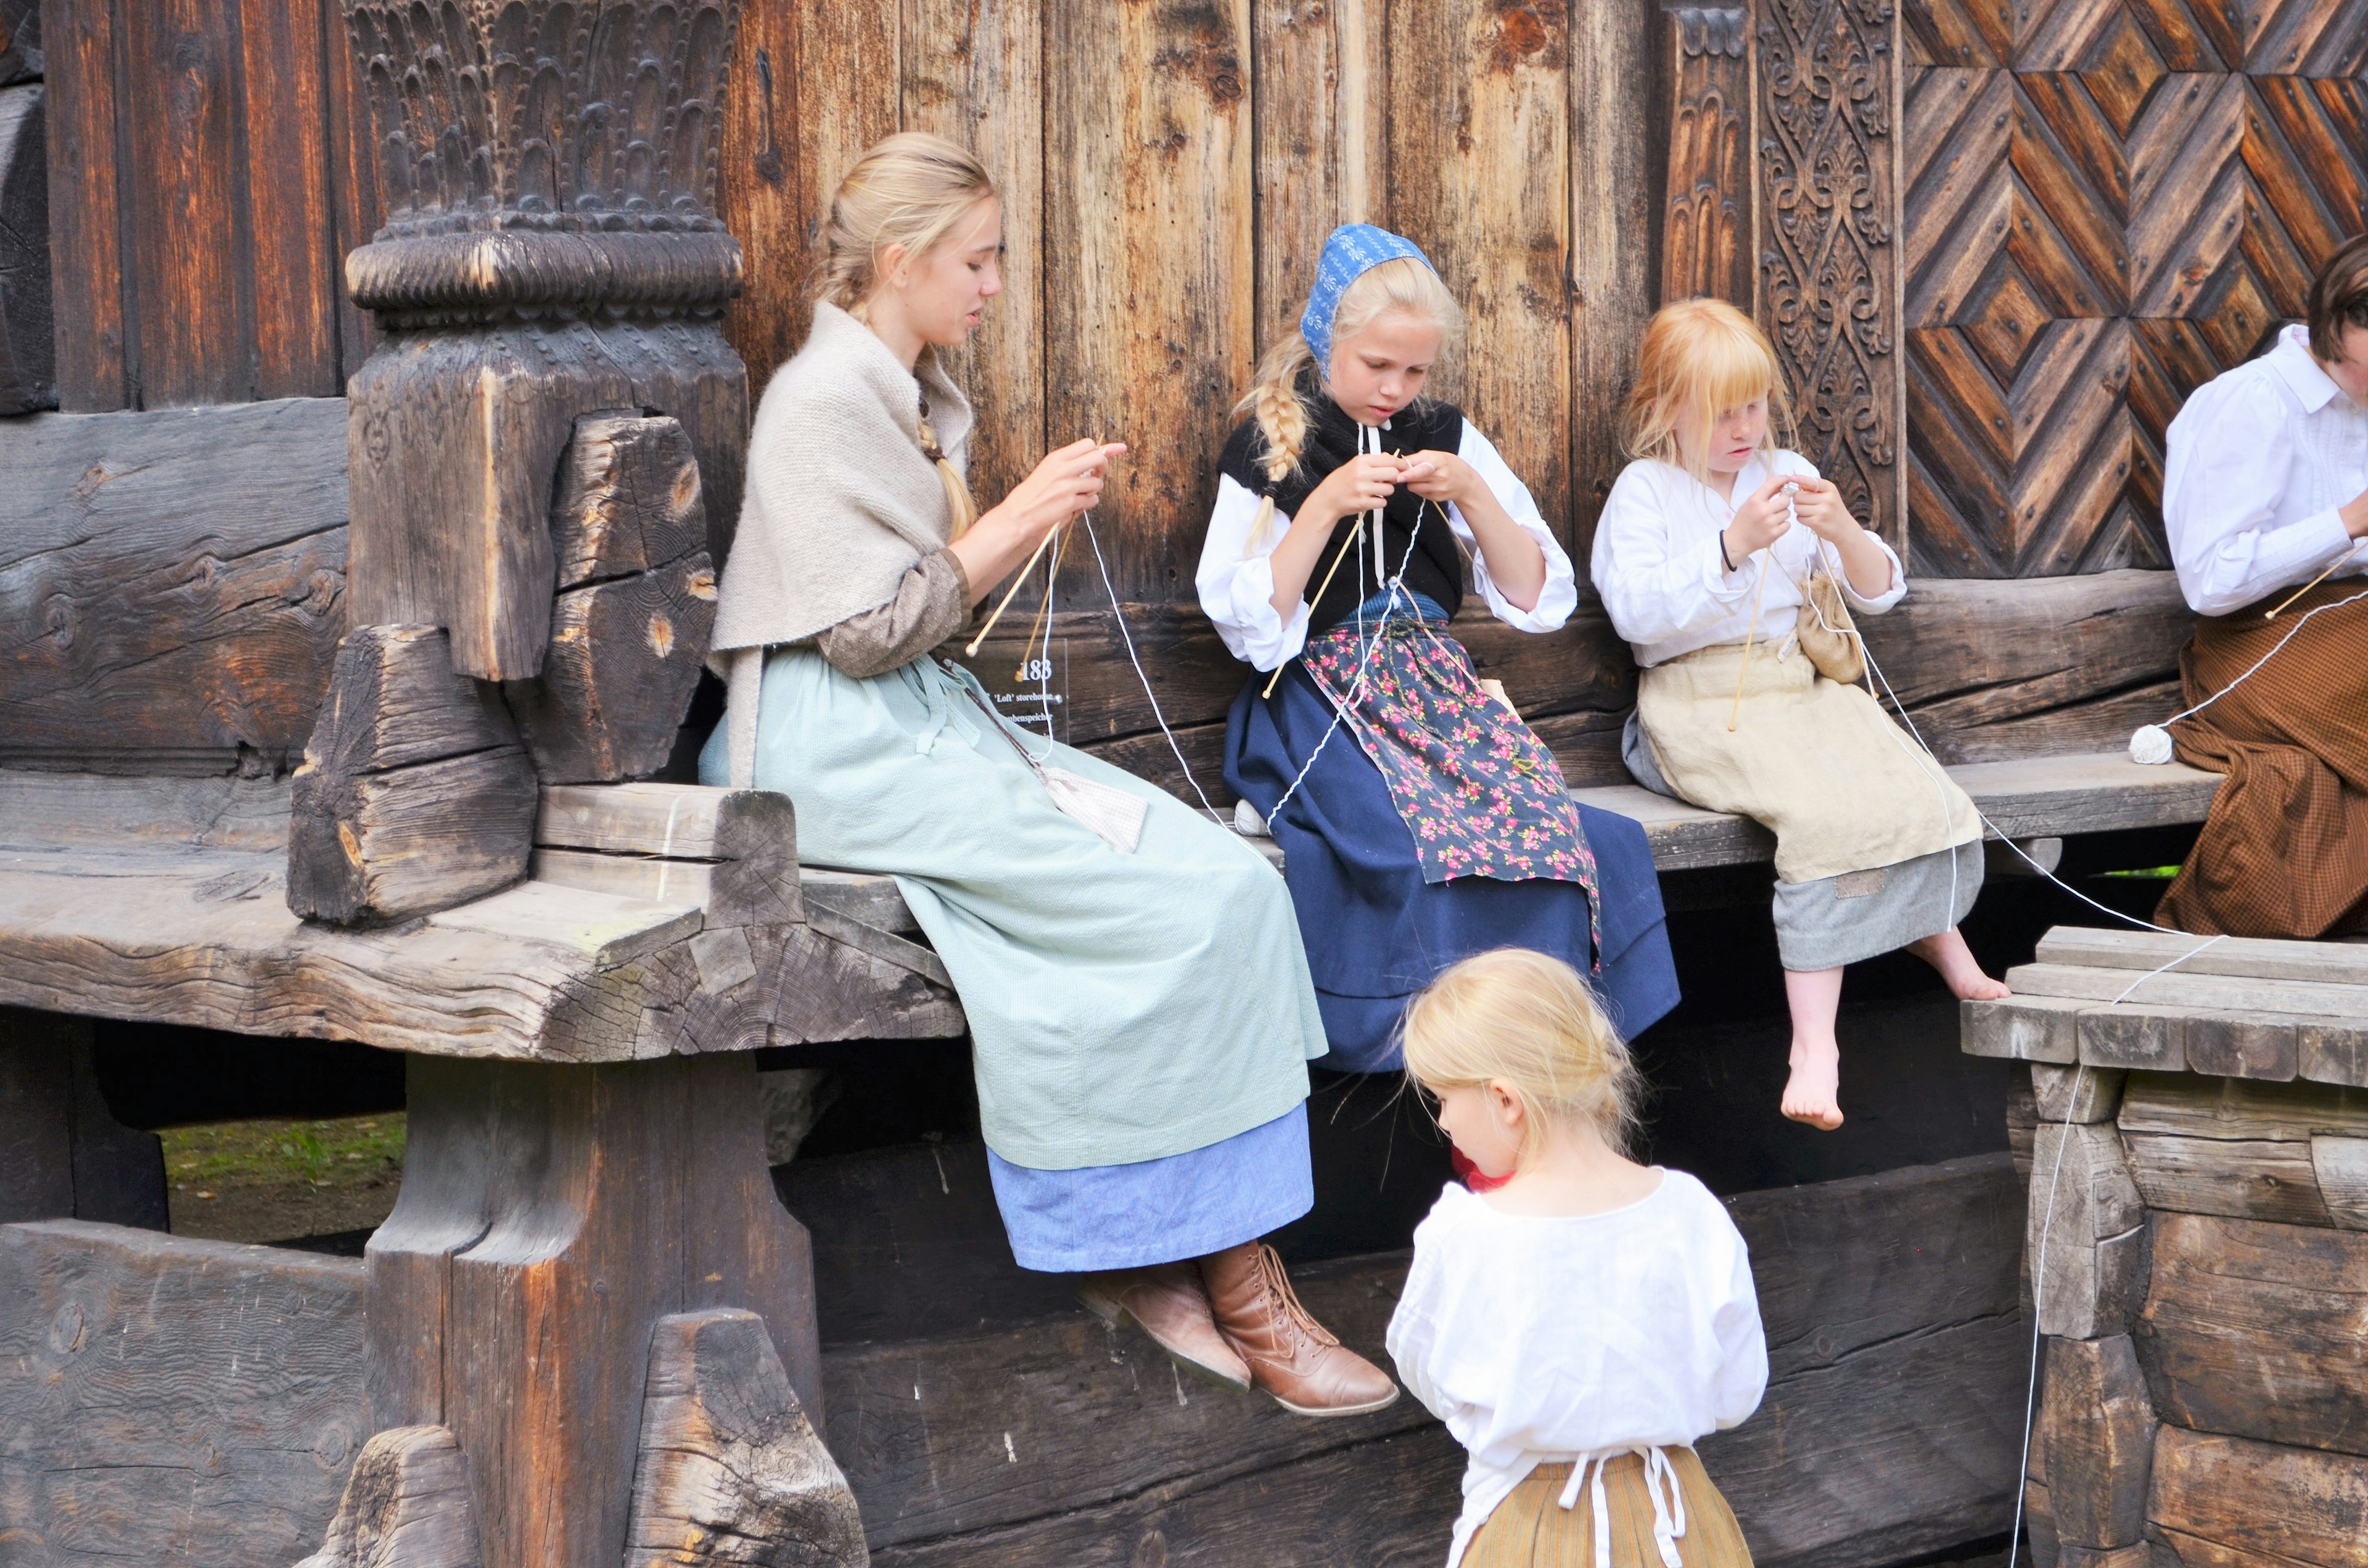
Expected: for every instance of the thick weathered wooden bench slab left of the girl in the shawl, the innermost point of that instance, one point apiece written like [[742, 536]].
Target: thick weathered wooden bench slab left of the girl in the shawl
[[165, 901]]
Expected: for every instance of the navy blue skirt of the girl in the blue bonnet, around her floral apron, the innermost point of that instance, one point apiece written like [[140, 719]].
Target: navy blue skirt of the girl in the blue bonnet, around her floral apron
[[1377, 932]]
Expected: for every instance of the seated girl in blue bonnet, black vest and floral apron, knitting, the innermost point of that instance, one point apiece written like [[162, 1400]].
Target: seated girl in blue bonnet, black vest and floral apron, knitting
[[1420, 818]]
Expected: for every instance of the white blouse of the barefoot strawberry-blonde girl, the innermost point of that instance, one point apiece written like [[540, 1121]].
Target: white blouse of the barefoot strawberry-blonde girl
[[1666, 584]]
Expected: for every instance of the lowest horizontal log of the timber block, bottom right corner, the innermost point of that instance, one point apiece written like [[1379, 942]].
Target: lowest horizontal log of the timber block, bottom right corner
[[2232, 1503]]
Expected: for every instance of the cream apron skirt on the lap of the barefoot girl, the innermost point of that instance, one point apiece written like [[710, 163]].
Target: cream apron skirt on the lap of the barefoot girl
[[1820, 764]]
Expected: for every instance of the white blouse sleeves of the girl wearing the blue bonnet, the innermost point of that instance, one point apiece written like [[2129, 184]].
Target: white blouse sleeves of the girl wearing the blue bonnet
[[1237, 581]]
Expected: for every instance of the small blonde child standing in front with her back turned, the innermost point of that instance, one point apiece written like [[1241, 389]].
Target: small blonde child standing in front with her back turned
[[1583, 1323]]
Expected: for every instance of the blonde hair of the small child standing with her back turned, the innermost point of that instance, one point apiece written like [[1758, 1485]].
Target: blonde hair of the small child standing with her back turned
[[1536, 1024]]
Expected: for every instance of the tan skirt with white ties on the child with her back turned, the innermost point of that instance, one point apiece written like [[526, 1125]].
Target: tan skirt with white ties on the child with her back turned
[[1533, 1531]]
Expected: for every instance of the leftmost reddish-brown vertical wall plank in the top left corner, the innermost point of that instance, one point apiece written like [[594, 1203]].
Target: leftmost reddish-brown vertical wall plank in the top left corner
[[86, 243]]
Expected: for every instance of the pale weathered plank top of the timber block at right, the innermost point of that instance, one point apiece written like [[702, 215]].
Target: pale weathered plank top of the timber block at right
[[2232, 1008]]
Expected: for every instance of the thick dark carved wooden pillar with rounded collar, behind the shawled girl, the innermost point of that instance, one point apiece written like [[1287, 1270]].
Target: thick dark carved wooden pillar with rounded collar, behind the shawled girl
[[551, 252]]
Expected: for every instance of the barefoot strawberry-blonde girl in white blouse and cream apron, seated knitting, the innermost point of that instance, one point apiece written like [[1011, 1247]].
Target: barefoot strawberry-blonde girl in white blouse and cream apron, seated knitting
[[1709, 558]]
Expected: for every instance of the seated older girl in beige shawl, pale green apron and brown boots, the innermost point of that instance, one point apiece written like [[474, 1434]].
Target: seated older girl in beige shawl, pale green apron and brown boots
[[1140, 1010]]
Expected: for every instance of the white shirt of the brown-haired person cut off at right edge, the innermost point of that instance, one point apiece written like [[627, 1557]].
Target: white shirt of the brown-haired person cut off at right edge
[[2256, 470]]
